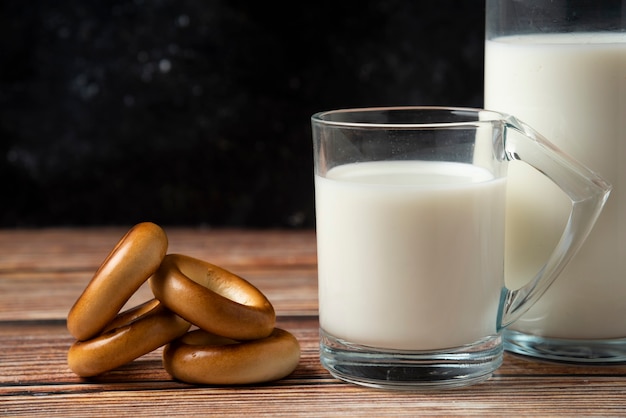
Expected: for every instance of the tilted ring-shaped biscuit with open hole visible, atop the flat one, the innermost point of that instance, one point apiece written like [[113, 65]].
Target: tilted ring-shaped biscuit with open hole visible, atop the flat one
[[212, 298]]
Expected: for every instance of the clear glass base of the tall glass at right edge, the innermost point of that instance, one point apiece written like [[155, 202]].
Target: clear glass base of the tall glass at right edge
[[565, 350]]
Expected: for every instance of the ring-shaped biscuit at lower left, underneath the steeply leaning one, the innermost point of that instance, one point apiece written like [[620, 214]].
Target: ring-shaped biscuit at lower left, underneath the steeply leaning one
[[132, 334]]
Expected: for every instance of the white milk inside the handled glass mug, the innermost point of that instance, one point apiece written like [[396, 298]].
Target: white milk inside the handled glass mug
[[410, 254]]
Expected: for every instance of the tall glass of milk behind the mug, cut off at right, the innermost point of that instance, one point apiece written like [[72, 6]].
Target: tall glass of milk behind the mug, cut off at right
[[561, 67]]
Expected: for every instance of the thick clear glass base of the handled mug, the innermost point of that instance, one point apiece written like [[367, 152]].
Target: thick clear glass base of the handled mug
[[411, 370]]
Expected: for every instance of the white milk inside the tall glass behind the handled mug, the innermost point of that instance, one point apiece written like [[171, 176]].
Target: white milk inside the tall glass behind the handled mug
[[572, 89]]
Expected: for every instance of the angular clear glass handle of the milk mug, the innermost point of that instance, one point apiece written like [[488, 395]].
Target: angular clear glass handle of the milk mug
[[587, 191]]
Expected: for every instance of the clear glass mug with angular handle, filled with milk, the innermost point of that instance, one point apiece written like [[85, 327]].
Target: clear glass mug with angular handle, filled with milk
[[410, 216]]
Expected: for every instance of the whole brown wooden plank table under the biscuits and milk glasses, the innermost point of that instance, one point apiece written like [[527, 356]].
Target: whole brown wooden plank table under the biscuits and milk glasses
[[42, 272]]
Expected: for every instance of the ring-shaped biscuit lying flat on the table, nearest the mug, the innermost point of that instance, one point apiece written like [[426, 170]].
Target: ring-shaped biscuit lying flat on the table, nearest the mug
[[199, 357]]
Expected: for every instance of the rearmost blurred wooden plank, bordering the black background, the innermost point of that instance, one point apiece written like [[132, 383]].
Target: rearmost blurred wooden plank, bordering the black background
[[84, 249]]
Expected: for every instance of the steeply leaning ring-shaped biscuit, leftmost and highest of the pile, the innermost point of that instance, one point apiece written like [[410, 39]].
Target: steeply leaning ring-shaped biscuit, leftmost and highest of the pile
[[135, 258]]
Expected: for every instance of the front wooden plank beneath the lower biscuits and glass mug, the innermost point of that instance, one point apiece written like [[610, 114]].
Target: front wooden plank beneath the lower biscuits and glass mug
[[48, 388]]
